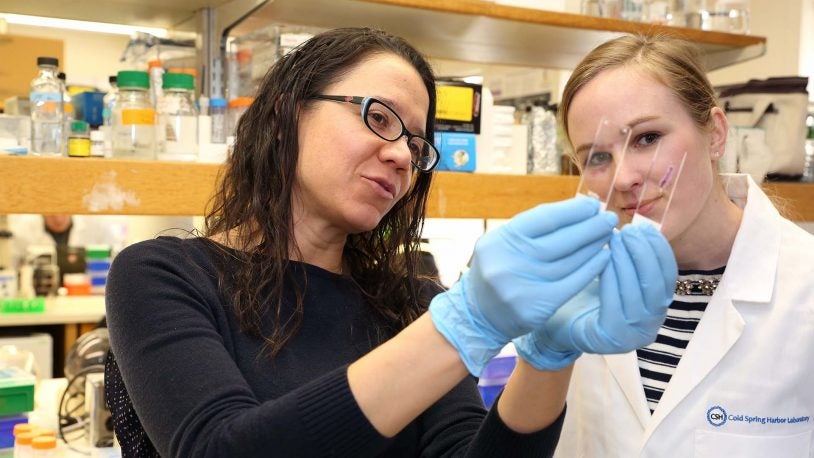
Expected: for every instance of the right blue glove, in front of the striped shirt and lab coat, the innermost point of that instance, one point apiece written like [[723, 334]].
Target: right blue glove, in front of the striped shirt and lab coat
[[620, 312]]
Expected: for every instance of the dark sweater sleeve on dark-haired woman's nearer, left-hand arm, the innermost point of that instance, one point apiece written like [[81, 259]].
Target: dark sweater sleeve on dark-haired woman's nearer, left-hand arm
[[186, 388]]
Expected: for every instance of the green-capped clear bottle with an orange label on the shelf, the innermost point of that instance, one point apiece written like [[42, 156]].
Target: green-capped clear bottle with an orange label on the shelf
[[133, 117]]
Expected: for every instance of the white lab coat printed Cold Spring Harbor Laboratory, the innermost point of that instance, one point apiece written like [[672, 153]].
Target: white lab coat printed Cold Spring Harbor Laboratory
[[745, 385]]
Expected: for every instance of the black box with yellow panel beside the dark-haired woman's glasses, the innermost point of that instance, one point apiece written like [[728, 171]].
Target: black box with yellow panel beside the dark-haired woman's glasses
[[458, 107]]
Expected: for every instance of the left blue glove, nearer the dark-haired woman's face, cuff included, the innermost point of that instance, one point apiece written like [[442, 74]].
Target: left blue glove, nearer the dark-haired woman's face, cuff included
[[521, 273]]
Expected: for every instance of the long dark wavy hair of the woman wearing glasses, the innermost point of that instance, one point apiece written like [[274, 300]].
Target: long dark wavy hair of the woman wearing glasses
[[252, 206]]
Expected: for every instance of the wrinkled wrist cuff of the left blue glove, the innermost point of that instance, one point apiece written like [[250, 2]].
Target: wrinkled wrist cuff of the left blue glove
[[475, 346]]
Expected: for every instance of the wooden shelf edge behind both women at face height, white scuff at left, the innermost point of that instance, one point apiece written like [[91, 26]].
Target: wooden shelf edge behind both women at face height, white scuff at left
[[110, 186]]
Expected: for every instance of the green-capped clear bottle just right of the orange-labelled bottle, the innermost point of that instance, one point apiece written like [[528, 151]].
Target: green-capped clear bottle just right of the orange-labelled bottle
[[178, 119]]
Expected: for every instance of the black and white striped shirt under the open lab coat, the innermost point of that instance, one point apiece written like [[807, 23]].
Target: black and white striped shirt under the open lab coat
[[658, 361]]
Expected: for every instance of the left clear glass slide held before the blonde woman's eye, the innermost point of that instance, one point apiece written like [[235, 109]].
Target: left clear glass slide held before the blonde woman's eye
[[599, 161]]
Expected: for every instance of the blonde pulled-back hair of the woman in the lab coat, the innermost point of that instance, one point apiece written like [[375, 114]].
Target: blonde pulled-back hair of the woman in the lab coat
[[673, 62]]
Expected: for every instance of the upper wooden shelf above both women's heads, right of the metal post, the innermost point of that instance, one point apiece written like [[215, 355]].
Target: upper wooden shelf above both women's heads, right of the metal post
[[485, 32]]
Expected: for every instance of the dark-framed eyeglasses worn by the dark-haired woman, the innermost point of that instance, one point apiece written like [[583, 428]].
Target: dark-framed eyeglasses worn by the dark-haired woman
[[387, 125]]
